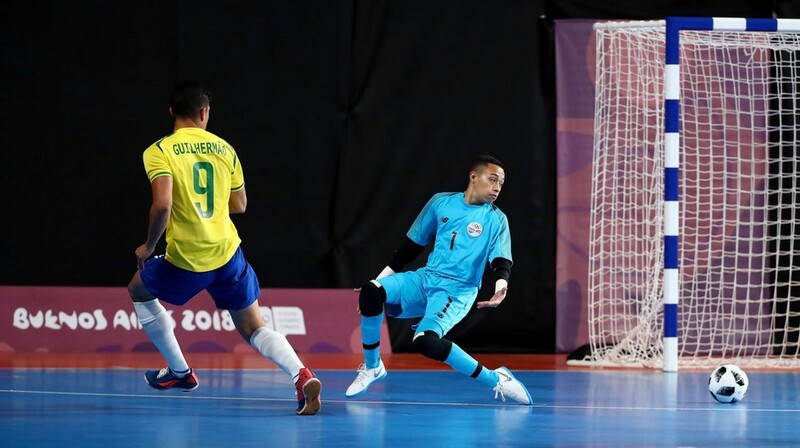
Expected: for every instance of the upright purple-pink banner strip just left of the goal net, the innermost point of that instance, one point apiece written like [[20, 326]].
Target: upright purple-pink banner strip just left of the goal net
[[575, 67]]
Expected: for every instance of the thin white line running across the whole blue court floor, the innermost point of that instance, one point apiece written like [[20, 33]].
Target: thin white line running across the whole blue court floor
[[190, 396]]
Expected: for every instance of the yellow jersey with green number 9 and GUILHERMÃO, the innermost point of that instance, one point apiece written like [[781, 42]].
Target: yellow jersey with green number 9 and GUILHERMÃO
[[204, 170]]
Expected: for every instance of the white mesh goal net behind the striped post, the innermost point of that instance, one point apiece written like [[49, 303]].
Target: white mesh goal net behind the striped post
[[738, 253]]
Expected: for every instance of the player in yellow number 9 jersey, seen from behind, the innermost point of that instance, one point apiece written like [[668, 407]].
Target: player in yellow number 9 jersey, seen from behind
[[197, 183]]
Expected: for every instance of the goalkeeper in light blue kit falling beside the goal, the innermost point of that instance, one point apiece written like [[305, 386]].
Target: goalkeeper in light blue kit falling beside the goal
[[468, 232]]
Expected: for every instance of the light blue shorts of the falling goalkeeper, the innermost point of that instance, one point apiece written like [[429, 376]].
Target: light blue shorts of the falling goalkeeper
[[442, 302]]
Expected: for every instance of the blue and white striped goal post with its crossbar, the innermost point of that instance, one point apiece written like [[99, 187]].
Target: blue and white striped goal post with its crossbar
[[672, 155]]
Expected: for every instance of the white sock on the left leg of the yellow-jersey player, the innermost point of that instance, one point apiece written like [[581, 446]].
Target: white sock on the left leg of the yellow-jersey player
[[158, 326]]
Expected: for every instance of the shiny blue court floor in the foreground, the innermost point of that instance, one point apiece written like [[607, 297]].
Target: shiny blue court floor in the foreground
[[254, 408]]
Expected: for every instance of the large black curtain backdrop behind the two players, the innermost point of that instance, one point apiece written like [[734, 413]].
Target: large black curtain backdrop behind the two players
[[347, 116]]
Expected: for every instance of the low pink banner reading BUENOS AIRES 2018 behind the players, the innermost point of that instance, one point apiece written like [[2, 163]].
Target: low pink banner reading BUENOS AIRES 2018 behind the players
[[95, 319]]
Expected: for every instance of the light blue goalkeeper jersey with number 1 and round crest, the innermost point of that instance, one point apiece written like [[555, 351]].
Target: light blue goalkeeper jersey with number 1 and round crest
[[467, 237]]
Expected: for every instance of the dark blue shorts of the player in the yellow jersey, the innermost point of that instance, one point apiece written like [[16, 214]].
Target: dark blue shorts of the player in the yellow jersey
[[233, 286]]
